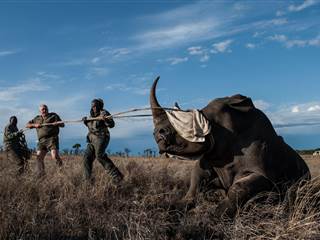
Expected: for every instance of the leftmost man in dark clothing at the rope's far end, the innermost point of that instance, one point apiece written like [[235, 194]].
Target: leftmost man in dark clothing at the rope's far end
[[16, 145]]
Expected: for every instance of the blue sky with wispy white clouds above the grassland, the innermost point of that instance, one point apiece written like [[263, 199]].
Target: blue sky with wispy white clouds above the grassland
[[65, 53]]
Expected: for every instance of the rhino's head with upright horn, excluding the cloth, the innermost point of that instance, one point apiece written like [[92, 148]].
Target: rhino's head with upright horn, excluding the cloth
[[167, 138]]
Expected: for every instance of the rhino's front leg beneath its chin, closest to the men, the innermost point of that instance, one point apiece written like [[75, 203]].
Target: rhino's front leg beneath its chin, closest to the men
[[197, 175]]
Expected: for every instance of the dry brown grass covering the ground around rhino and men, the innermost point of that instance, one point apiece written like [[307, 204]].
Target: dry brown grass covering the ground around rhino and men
[[146, 206]]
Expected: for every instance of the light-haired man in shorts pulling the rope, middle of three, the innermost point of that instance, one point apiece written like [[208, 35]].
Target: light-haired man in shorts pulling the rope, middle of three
[[47, 126]]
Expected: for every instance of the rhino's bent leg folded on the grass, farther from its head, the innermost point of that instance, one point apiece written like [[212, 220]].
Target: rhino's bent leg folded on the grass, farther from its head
[[240, 192]]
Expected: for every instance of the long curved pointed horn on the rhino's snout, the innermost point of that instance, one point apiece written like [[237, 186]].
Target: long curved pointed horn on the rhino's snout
[[158, 113]]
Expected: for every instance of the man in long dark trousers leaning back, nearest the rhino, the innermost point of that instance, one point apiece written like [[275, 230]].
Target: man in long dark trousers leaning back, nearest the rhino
[[98, 140]]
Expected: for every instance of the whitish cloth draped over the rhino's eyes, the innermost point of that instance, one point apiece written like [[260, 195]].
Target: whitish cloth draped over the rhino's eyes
[[191, 125]]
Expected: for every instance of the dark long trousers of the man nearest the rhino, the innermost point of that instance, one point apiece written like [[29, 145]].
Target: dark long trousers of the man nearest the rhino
[[96, 150]]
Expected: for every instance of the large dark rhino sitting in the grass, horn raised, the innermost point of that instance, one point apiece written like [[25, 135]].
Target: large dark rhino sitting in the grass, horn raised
[[243, 152]]
